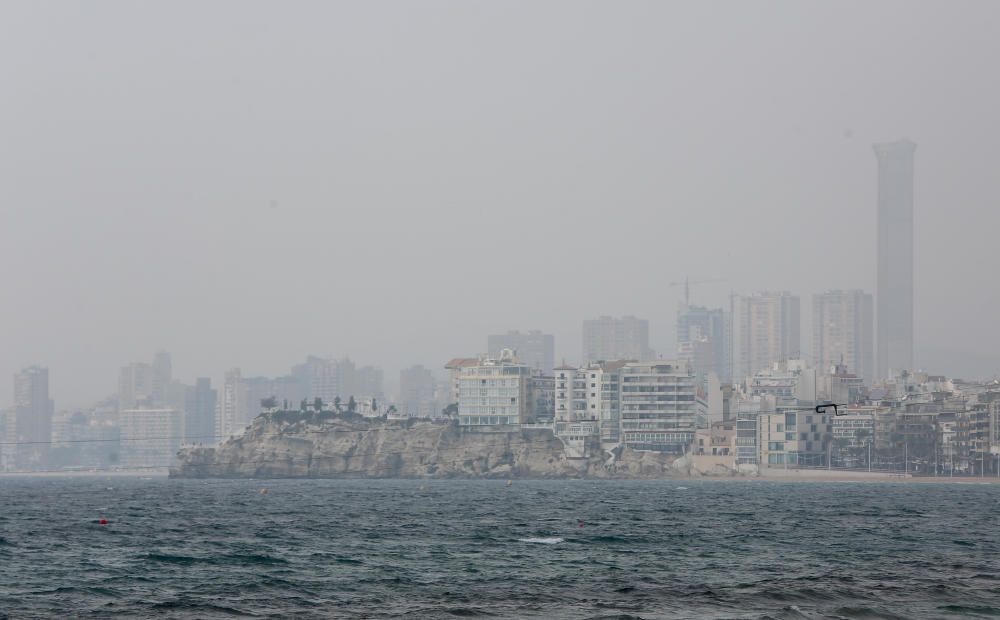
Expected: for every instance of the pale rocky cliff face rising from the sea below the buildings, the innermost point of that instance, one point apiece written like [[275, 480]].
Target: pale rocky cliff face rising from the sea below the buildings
[[328, 445]]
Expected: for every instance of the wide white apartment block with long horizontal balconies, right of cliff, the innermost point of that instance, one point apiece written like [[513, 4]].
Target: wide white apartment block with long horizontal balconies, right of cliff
[[657, 406]]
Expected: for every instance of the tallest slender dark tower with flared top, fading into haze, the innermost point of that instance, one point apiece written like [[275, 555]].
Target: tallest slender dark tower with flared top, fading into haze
[[894, 302]]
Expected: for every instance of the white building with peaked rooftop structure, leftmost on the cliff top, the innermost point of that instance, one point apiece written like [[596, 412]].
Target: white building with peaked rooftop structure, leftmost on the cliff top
[[495, 392]]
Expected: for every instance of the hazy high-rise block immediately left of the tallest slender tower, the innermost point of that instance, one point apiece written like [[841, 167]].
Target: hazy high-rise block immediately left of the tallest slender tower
[[842, 332]]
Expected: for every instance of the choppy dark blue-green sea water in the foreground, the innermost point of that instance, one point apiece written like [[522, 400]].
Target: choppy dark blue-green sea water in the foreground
[[535, 549]]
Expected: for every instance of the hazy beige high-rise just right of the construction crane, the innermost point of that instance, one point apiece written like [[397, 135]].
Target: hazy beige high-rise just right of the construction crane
[[765, 330]]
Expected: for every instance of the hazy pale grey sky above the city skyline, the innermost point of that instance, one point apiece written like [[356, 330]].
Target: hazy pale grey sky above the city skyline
[[243, 183]]
